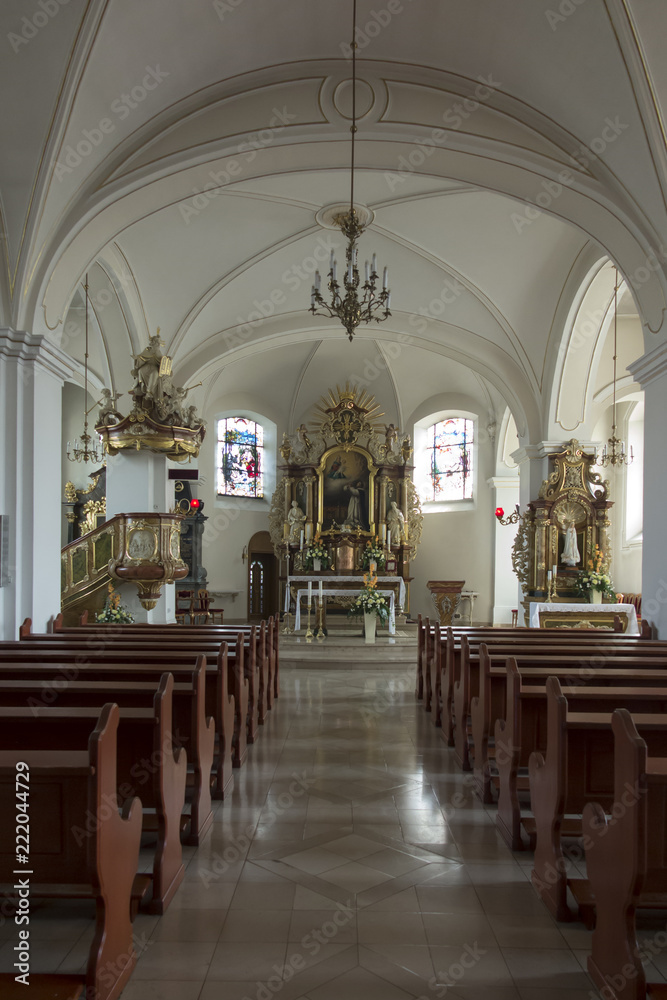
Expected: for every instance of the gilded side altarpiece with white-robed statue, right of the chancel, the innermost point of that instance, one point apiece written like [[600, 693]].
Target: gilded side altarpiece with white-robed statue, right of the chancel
[[561, 530]]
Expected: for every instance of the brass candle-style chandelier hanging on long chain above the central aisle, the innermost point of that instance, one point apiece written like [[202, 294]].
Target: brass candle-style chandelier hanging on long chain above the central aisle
[[353, 303]]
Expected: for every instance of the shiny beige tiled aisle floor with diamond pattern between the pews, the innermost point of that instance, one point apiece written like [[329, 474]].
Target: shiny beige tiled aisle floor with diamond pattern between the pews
[[352, 862]]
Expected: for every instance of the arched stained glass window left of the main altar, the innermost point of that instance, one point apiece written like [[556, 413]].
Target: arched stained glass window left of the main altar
[[240, 458]]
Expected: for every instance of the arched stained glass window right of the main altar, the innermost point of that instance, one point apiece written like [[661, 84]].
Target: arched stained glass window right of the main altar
[[449, 451]]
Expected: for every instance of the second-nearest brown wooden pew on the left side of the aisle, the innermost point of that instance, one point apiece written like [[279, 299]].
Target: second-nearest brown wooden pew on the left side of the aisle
[[147, 764]]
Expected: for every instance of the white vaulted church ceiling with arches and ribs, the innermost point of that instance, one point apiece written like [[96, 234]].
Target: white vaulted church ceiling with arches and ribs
[[192, 151]]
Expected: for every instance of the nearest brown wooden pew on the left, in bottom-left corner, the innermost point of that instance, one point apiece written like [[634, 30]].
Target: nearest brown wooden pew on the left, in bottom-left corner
[[66, 789]]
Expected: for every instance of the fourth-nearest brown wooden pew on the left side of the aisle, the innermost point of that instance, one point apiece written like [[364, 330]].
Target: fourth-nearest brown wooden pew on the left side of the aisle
[[227, 694]]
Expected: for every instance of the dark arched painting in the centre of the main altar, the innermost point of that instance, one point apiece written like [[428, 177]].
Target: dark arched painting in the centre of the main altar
[[345, 490]]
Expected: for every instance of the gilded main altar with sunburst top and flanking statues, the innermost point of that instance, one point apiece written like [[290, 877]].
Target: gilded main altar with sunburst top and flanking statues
[[345, 481]]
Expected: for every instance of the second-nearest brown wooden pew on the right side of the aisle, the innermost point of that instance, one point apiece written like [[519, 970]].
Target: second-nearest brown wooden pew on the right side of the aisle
[[578, 766]]
